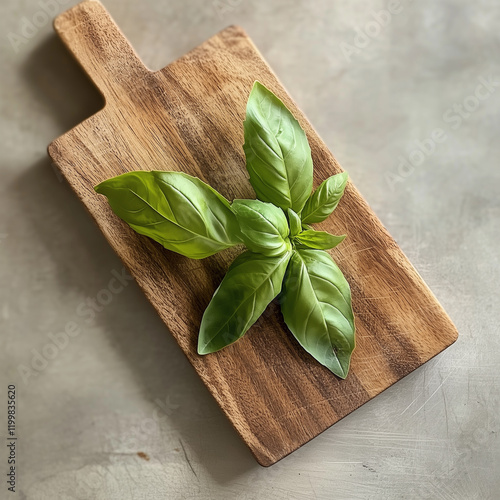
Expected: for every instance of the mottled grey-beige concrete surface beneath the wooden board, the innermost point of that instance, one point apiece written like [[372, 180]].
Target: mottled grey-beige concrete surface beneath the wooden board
[[123, 386]]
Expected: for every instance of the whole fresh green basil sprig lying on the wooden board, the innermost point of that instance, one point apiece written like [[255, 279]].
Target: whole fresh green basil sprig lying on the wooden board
[[285, 256]]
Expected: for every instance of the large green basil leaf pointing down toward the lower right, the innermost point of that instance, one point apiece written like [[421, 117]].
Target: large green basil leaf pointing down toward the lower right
[[316, 306]]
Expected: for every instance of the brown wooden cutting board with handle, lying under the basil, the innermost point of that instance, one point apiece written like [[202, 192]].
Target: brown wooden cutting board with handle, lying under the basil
[[189, 117]]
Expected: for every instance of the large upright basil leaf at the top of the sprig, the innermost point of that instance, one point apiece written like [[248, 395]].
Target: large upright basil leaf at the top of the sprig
[[278, 155]]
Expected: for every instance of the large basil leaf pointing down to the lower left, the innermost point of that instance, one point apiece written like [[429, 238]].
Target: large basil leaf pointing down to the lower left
[[252, 281]]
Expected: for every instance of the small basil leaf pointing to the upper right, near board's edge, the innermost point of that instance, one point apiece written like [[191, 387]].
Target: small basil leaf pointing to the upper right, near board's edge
[[325, 199]]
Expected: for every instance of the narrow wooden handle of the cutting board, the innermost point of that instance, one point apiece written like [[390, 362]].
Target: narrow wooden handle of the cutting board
[[100, 47]]
